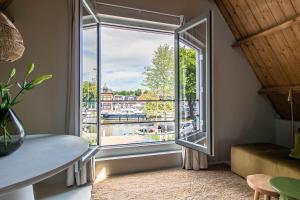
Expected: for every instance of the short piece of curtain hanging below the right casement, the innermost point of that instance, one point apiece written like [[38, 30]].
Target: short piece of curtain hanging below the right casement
[[192, 159]]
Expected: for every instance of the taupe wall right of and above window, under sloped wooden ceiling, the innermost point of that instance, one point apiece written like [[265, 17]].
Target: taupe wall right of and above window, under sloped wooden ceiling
[[241, 115]]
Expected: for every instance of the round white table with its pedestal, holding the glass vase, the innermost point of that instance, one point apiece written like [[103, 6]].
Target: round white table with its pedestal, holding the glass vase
[[40, 157]]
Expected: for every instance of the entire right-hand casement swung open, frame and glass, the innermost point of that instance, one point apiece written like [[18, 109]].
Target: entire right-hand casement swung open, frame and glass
[[193, 72]]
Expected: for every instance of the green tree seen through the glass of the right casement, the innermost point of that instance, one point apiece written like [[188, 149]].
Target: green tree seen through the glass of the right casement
[[187, 70]]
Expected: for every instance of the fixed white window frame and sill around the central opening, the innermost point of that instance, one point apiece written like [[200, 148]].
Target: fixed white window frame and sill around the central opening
[[136, 148]]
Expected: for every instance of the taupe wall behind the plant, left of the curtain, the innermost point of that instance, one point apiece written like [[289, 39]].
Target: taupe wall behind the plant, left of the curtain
[[43, 25]]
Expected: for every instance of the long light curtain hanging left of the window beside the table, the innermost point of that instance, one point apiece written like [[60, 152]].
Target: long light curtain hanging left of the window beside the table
[[76, 174]]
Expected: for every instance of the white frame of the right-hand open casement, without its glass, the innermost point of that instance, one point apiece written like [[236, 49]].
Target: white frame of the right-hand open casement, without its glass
[[208, 70]]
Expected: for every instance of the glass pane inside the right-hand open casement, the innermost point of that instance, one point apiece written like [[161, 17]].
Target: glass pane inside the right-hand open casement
[[192, 84]]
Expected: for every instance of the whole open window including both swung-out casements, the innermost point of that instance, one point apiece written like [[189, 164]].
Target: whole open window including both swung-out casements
[[128, 79]]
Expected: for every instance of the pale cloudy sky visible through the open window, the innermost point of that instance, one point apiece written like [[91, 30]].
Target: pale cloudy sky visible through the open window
[[124, 56]]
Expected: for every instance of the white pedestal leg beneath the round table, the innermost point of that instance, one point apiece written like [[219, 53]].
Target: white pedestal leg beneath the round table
[[25, 193]]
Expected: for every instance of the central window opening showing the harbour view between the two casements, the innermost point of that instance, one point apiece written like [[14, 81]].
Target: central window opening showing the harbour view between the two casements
[[137, 85]]
